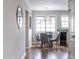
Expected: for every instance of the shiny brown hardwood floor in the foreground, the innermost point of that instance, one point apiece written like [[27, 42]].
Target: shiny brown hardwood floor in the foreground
[[47, 53]]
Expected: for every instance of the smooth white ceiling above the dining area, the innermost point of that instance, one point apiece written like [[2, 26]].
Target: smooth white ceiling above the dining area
[[48, 4]]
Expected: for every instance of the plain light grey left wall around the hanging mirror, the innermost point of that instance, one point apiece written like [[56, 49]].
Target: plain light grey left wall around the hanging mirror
[[13, 38]]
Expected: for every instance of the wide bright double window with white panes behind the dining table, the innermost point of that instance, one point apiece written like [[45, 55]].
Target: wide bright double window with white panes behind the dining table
[[43, 24]]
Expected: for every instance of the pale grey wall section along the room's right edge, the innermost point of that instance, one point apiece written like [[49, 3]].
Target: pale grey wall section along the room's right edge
[[72, 39]]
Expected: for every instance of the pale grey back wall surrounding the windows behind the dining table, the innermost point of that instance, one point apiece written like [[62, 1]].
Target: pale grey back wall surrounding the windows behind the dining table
[[47, 13]]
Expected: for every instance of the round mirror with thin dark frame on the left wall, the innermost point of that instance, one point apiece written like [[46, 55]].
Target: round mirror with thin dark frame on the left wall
[[19, 17]]
